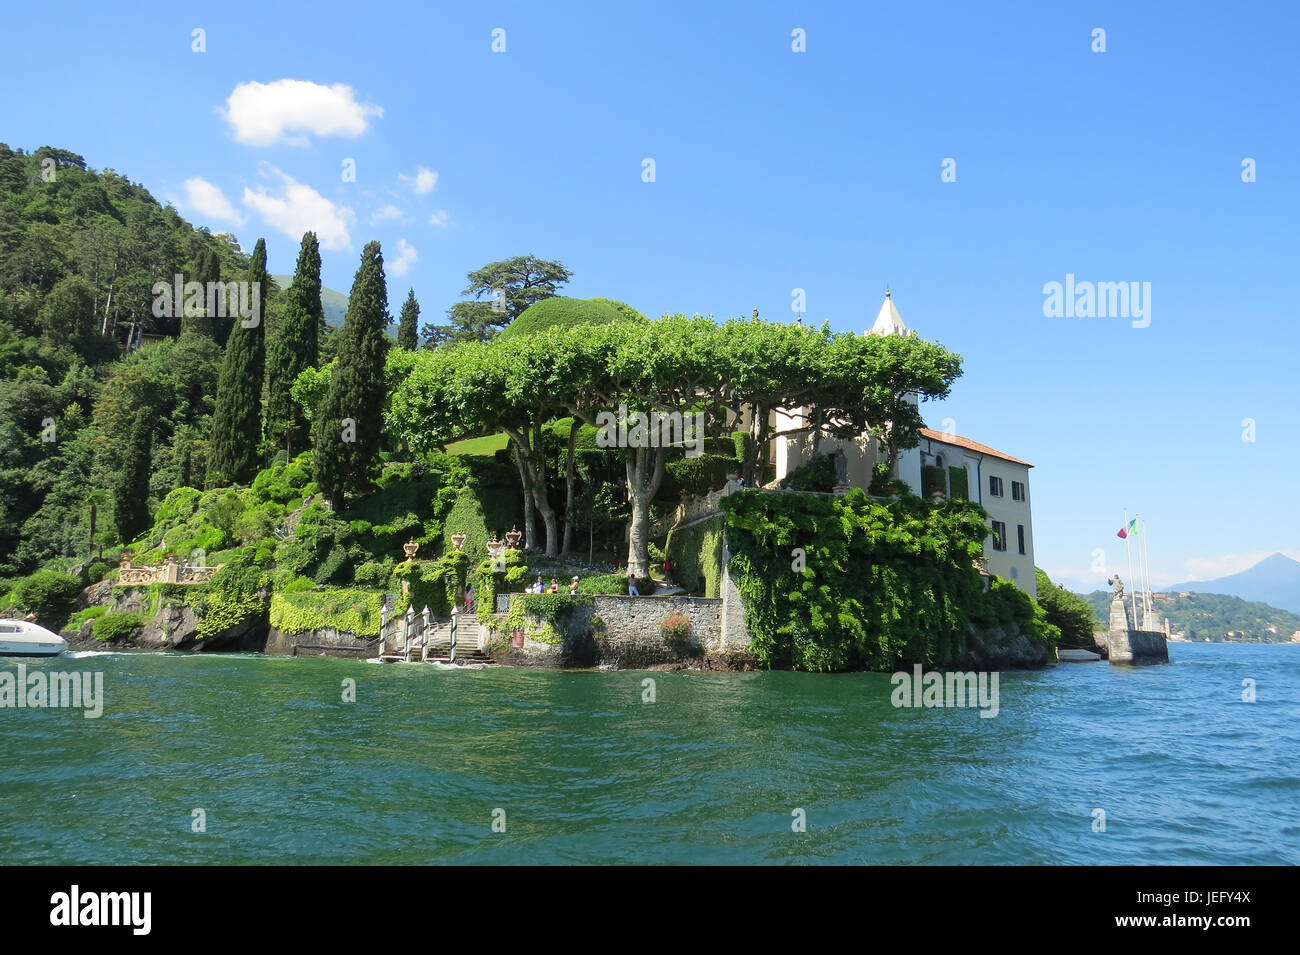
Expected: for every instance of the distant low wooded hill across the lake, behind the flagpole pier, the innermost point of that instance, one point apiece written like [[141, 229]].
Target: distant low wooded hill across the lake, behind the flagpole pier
[[1212, 618]]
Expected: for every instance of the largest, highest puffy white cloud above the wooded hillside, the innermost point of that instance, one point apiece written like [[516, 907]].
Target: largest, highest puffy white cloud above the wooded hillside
[[288, 110]]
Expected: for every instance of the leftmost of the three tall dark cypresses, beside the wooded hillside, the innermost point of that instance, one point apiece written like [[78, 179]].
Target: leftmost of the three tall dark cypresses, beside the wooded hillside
[[237, 418]]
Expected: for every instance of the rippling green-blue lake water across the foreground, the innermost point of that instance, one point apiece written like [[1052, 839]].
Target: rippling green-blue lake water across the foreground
[[586, 772]]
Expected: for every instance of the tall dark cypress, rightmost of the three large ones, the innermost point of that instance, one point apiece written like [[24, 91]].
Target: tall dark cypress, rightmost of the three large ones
[[348, 424]]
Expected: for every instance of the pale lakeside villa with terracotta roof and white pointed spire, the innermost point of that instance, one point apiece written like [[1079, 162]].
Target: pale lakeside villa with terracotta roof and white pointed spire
[[943, 463]]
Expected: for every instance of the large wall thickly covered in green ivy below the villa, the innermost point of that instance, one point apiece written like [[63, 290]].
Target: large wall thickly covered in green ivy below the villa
[[837, 584]]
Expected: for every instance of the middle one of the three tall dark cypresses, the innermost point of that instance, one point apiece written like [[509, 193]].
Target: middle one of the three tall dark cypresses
[[294, 344]]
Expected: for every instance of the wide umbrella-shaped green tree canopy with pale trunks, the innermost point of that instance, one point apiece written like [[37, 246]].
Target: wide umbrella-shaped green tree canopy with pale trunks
[[643, 374]]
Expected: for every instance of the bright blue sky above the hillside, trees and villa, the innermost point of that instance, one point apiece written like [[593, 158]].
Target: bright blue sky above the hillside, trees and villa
[[779, 171]]
